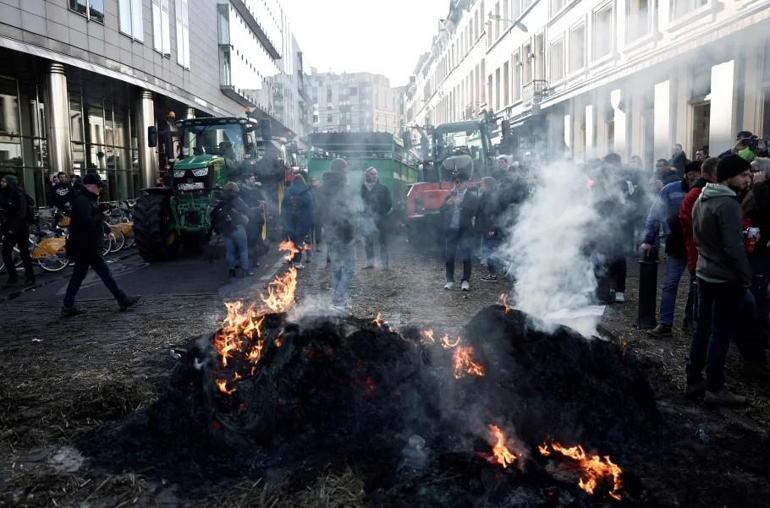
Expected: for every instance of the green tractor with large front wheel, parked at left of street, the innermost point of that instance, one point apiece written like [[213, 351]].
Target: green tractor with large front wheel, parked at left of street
[[214, 151]]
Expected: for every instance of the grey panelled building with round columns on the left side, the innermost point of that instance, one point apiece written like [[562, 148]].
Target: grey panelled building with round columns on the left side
[[81, 80]]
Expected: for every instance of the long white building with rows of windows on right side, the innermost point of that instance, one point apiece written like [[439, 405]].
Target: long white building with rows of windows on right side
[[585, 77]]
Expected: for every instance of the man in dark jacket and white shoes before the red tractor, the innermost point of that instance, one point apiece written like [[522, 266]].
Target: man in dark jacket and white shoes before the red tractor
[[459, 215]]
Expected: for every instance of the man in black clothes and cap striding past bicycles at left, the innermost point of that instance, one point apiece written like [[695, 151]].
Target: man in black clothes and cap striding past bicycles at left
[[84, 246]]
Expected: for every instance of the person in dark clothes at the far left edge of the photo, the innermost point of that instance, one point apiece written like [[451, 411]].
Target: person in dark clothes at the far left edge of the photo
[[15, 229]]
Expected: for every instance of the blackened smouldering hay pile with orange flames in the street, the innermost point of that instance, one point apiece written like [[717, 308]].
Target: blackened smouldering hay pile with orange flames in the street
[[505, 412]]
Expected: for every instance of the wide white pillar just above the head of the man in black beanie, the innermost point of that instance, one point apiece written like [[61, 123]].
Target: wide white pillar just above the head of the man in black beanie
[[721, 123]]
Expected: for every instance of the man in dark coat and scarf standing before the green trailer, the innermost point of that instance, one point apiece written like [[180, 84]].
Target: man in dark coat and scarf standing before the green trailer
[[377, 206]]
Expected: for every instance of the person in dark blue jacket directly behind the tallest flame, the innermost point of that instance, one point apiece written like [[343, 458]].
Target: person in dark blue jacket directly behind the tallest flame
[[297, 210]]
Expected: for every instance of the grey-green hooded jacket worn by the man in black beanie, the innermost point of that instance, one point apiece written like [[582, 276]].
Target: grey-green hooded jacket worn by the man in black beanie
[[716, 219]]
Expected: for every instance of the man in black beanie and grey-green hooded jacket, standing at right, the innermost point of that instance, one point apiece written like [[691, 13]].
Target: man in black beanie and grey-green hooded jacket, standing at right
[[724, 276]]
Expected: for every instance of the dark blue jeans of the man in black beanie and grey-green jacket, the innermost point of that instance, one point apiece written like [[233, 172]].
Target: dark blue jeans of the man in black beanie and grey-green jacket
[[725, 310]]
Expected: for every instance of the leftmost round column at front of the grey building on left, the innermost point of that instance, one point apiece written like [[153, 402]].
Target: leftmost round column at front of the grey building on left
[[57, 119]]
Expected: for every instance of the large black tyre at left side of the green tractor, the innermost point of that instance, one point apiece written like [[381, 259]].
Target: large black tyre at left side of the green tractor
[[154, 233]]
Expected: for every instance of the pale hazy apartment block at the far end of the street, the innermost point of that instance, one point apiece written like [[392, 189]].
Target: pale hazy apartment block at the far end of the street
[[354, 102]]
